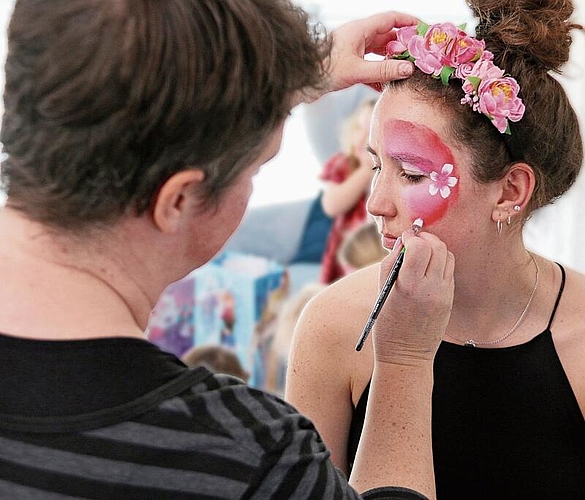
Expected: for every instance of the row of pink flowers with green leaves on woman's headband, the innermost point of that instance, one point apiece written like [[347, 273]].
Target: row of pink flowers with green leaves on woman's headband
[[445, 51]]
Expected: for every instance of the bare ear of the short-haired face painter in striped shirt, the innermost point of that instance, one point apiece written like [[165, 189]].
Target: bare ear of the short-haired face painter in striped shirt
[[176, 199]]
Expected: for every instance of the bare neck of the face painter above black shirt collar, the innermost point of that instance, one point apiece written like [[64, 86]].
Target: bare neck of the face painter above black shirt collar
[[55, 286]]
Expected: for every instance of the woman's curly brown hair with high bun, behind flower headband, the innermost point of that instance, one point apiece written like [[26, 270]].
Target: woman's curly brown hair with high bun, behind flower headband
[[530, 40]]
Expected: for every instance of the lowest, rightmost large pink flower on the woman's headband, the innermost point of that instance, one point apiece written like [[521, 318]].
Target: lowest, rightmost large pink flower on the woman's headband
[[498, 99]]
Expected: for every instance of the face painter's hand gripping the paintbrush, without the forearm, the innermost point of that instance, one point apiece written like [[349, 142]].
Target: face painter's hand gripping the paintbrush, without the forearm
[[413, 320]]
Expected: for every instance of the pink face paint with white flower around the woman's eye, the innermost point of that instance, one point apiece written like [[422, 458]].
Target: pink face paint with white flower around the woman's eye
[[428, 164]]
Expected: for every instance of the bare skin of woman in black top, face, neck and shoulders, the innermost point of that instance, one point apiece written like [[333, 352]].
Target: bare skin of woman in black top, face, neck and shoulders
[[494, 275]]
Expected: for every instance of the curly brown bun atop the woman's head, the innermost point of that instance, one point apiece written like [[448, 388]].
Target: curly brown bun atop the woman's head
[[525, 32]]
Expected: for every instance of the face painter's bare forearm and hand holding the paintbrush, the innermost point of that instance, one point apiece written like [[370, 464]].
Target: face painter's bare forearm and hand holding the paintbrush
[[406, 336]]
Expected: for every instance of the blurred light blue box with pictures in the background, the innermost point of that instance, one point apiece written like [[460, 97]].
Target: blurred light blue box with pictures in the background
[[238, 298]]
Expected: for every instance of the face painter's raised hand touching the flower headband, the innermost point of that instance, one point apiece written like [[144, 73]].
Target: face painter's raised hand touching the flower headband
[[351, 42]]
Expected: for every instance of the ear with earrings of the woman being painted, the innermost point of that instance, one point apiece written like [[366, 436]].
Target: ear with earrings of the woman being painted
[[517, 187]]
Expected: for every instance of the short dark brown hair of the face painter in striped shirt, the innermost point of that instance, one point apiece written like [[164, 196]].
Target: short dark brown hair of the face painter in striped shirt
[[106, 99]]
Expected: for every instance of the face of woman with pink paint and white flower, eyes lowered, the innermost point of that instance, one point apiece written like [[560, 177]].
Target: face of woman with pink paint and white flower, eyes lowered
[[421, 172]]
